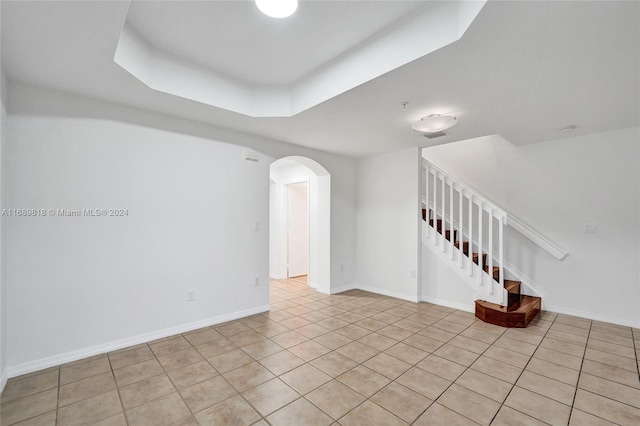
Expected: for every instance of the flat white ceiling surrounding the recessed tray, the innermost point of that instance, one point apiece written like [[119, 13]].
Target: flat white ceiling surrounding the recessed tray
[[523, 69]]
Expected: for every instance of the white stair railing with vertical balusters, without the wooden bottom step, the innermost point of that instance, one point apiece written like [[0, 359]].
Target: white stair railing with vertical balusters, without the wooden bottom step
[[467, 214]]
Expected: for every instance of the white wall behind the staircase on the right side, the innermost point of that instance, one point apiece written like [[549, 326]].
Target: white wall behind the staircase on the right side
[[556, 187]]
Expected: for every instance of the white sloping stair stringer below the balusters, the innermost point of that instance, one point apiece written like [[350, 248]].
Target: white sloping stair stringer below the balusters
[[482, 289]]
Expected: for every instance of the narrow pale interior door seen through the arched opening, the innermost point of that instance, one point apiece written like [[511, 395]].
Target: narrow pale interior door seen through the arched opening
[[297, 229]]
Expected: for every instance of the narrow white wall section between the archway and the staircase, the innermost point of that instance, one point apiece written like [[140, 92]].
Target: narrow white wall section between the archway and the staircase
[[388, 223]]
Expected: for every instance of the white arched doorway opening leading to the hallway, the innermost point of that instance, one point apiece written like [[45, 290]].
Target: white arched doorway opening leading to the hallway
[[287, 174]]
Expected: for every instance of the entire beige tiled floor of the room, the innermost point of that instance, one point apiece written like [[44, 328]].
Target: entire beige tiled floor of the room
[[354, 358]]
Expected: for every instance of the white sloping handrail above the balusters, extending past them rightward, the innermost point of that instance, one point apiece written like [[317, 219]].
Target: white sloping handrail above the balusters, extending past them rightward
[[509, 219]]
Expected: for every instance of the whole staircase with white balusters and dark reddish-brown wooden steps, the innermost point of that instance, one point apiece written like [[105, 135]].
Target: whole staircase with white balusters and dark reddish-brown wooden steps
[[463, 228]]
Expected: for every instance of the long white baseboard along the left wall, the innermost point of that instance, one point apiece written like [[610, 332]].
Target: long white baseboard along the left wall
[[52, 361]]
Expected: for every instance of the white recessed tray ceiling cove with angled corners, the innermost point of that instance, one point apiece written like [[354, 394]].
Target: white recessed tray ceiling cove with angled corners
[[198, 53]]
